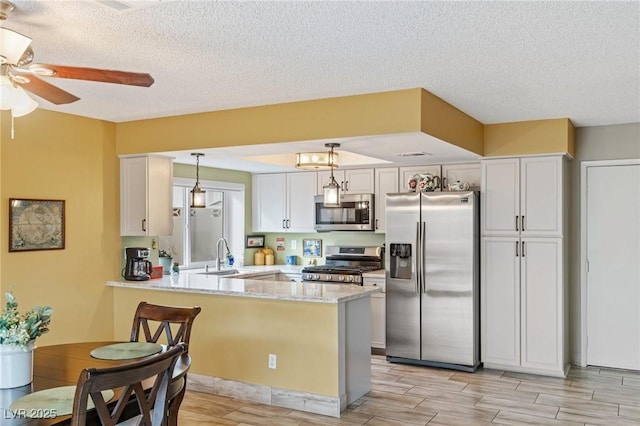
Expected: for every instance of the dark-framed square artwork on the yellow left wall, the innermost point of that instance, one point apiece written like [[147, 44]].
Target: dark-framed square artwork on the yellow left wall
[[36, 224]]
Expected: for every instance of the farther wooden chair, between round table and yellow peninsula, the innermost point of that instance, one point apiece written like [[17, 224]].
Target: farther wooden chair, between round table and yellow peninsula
[[162, 319]]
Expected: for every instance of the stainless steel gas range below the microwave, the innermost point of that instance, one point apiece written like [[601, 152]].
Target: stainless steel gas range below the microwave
[[344, 265]]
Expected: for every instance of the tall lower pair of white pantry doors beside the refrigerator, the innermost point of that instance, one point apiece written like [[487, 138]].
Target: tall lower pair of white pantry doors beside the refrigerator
[[523, 305]]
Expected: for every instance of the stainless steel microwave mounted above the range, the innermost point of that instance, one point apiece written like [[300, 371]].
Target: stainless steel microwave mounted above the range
[[355, 213]]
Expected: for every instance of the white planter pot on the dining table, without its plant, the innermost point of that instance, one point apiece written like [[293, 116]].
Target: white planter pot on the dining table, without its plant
[[16, 365]]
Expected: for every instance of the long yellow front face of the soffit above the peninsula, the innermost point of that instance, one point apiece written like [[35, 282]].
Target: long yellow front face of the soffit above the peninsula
[[371, 114]]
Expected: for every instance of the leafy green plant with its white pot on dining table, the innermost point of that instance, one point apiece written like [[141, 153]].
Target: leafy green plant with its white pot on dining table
[[17, 341]]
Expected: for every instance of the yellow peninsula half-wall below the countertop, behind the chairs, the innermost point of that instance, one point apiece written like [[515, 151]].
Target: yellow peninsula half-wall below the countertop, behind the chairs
[[233, 337]]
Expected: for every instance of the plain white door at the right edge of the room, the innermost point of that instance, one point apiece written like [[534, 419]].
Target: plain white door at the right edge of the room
[[613, 277]]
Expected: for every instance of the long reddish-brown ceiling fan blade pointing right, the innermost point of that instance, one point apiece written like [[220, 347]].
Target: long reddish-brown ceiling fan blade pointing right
[[94, 74]]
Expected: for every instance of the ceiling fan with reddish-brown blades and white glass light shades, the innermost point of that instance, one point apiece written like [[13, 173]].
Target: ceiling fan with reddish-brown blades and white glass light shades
[[16, 65]]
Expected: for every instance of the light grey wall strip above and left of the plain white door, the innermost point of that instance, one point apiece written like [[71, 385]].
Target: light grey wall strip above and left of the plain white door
[[592, 143]]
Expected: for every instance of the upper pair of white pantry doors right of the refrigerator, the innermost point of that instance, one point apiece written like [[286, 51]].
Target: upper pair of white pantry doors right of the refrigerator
[[522, 196]]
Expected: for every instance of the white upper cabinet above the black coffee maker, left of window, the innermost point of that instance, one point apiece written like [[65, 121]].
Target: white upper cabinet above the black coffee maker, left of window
[[146, 197]]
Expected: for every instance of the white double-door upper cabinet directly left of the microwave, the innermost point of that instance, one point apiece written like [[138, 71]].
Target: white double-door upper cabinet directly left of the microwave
[[284, 202]]
